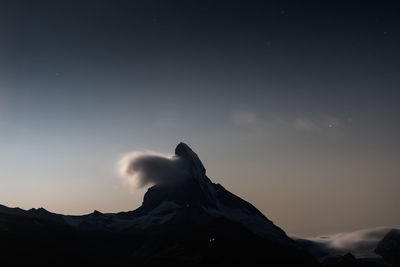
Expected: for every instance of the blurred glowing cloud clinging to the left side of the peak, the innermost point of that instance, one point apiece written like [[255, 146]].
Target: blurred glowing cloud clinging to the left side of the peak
[[144, 168]]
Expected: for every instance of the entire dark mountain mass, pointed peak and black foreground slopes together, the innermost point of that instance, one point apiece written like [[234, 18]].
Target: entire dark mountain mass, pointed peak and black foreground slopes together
[[187, 222]]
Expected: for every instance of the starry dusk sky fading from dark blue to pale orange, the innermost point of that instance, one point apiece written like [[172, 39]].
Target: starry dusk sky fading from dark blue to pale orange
[[292, 105]]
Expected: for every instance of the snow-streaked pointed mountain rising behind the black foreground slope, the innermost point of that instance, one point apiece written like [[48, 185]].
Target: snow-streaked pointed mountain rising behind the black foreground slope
[[190, 202]]
